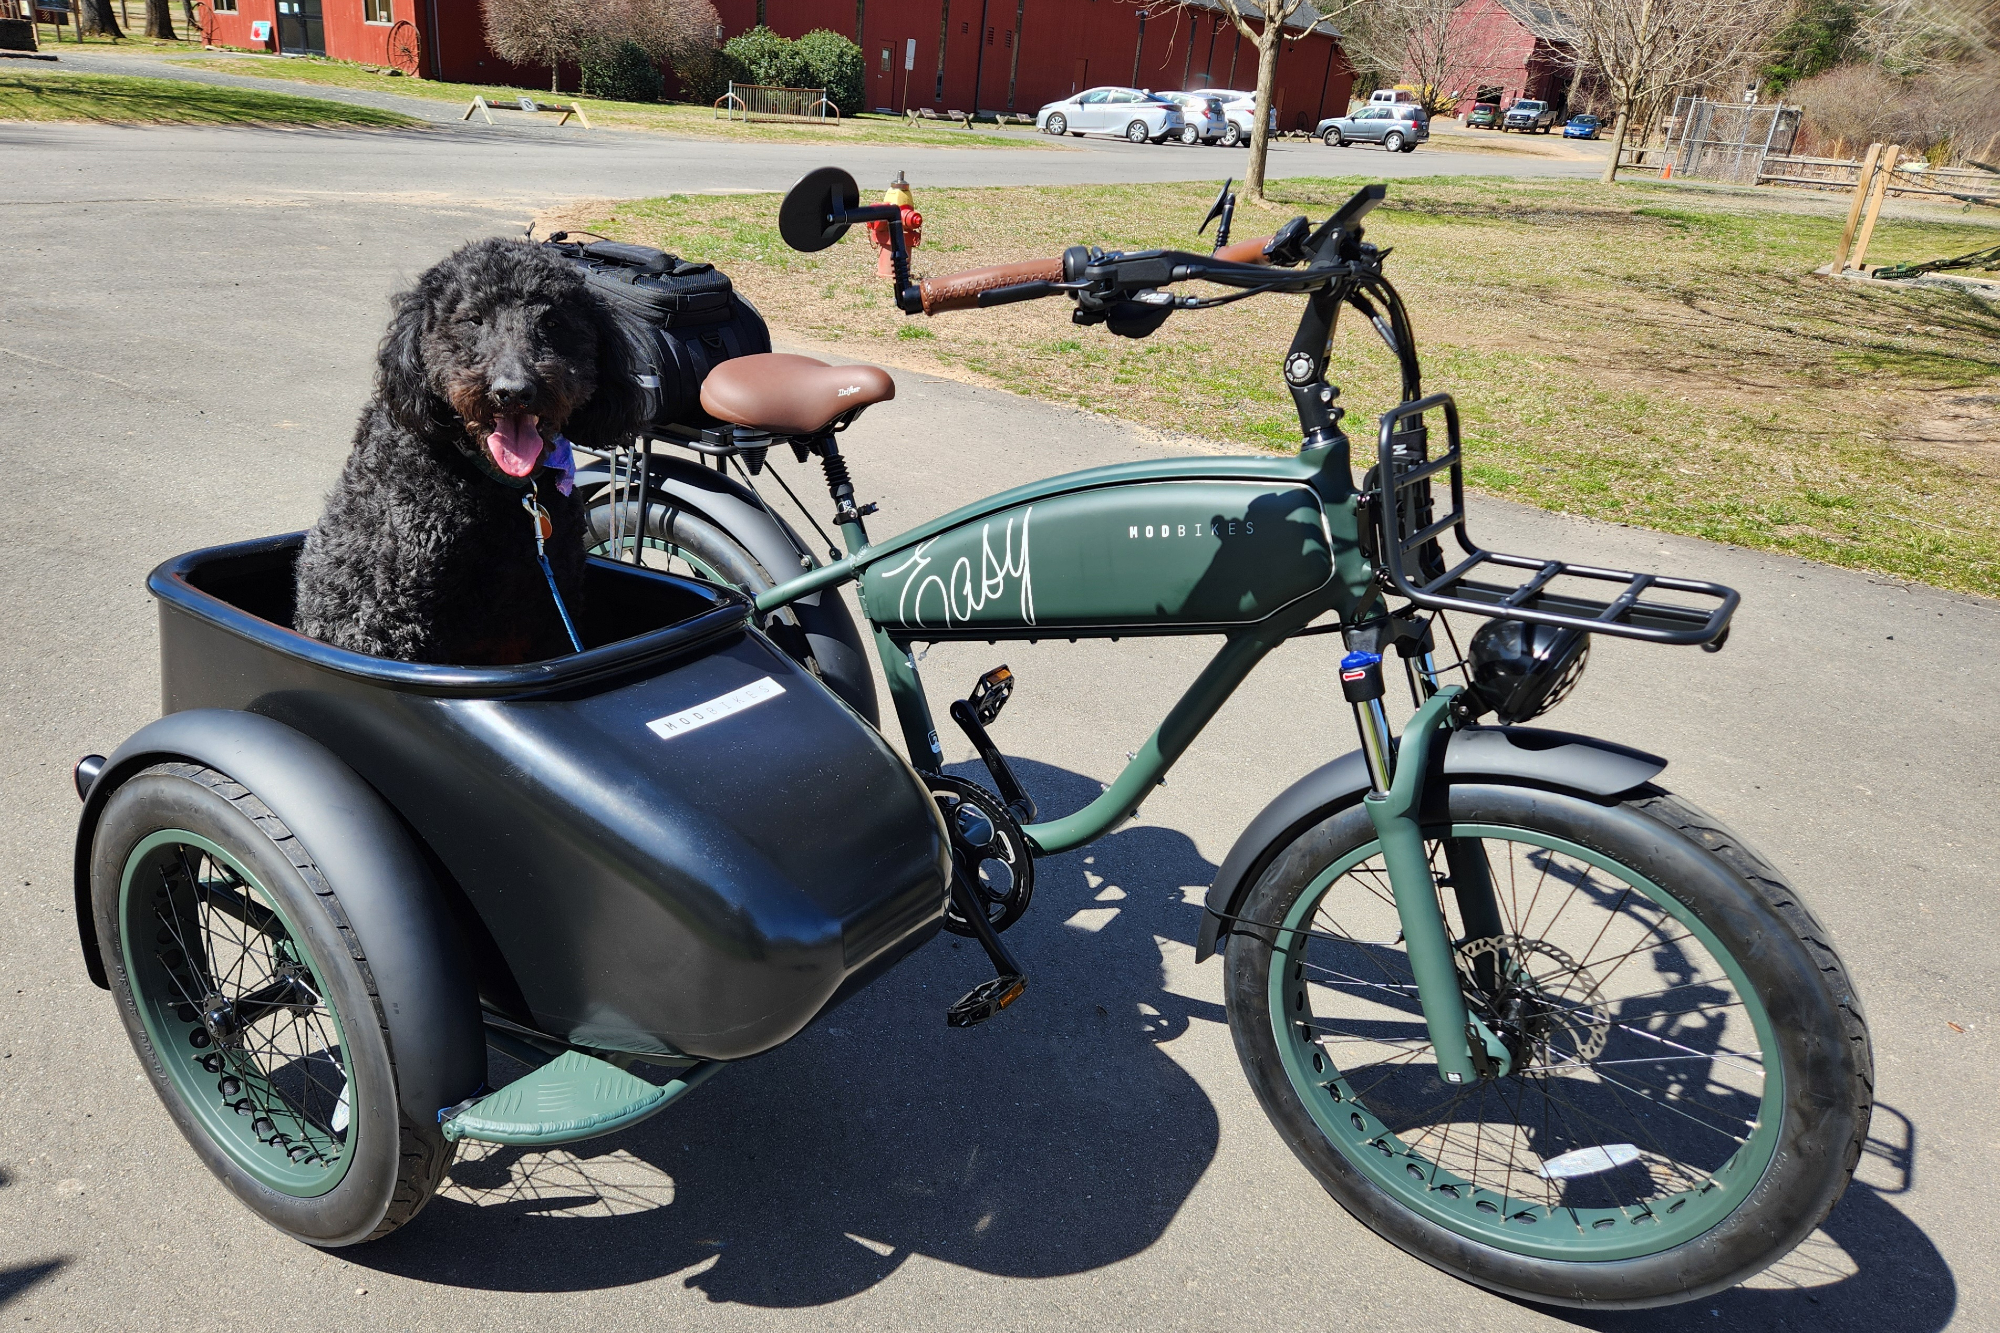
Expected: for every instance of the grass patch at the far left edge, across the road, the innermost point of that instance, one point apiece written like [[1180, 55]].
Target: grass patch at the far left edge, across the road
[[167, 101]]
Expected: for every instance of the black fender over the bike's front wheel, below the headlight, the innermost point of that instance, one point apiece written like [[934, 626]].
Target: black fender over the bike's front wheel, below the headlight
[[1557, 760]]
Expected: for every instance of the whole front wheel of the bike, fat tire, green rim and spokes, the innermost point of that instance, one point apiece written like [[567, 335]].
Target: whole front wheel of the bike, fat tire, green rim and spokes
[[1689, 1080]]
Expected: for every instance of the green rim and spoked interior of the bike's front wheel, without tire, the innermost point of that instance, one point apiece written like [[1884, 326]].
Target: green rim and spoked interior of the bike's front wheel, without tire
[[1695, 1162]]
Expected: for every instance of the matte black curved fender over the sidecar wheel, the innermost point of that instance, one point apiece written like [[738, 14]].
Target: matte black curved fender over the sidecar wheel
[[385, 888]]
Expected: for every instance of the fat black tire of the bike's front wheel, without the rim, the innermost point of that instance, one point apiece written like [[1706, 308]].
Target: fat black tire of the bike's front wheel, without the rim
[[1821, 1042]]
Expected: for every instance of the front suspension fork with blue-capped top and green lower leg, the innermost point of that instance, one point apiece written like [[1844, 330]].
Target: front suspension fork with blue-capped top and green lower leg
[[1467, 1050]]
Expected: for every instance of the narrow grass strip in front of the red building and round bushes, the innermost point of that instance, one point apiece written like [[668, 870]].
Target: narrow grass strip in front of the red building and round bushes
[[659, 117]]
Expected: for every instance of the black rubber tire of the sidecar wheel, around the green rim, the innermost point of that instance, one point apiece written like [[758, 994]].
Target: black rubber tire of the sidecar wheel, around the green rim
[[423, 1154]]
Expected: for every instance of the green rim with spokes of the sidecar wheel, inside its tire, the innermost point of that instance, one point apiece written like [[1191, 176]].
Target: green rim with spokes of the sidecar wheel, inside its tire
[[231, 998]]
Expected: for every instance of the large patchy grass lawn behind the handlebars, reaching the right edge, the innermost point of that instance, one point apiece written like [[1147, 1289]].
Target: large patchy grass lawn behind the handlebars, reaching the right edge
[[1645, 353]]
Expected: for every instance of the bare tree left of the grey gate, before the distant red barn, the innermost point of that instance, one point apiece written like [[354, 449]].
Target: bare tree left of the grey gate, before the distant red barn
[[1639, 51]]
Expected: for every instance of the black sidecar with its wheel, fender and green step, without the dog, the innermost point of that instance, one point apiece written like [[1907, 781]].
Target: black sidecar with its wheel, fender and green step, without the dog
[[325, 882]]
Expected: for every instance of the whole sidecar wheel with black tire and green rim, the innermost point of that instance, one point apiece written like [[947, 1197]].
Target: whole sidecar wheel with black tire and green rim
[[253, 1008]]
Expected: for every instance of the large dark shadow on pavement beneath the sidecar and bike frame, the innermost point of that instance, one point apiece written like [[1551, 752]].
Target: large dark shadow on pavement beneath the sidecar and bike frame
[[1053, 1140]]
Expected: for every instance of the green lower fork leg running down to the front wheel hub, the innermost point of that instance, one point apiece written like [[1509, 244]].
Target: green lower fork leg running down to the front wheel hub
[[1465, 1046]]
